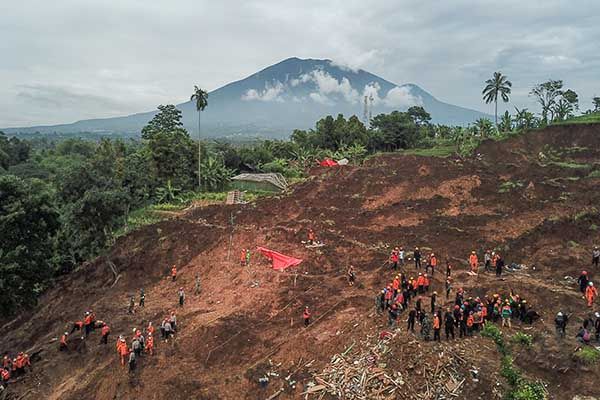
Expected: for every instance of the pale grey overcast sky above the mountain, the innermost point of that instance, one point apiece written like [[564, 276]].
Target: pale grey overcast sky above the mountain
[[65, 60]]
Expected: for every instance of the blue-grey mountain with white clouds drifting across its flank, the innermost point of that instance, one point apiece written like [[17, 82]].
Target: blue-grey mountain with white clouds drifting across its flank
[[292, 94]]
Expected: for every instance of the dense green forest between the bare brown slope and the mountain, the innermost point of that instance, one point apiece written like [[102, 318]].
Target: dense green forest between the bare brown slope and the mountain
[[64, 200]]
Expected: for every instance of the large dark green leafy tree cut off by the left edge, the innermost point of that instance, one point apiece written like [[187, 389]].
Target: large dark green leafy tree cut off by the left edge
[[28, 222]]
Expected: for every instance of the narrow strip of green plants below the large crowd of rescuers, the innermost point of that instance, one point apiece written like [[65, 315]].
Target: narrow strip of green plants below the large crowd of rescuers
[[520, 388]]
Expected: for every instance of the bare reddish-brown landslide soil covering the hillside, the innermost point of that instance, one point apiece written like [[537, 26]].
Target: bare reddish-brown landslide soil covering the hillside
[[533, 197]]
